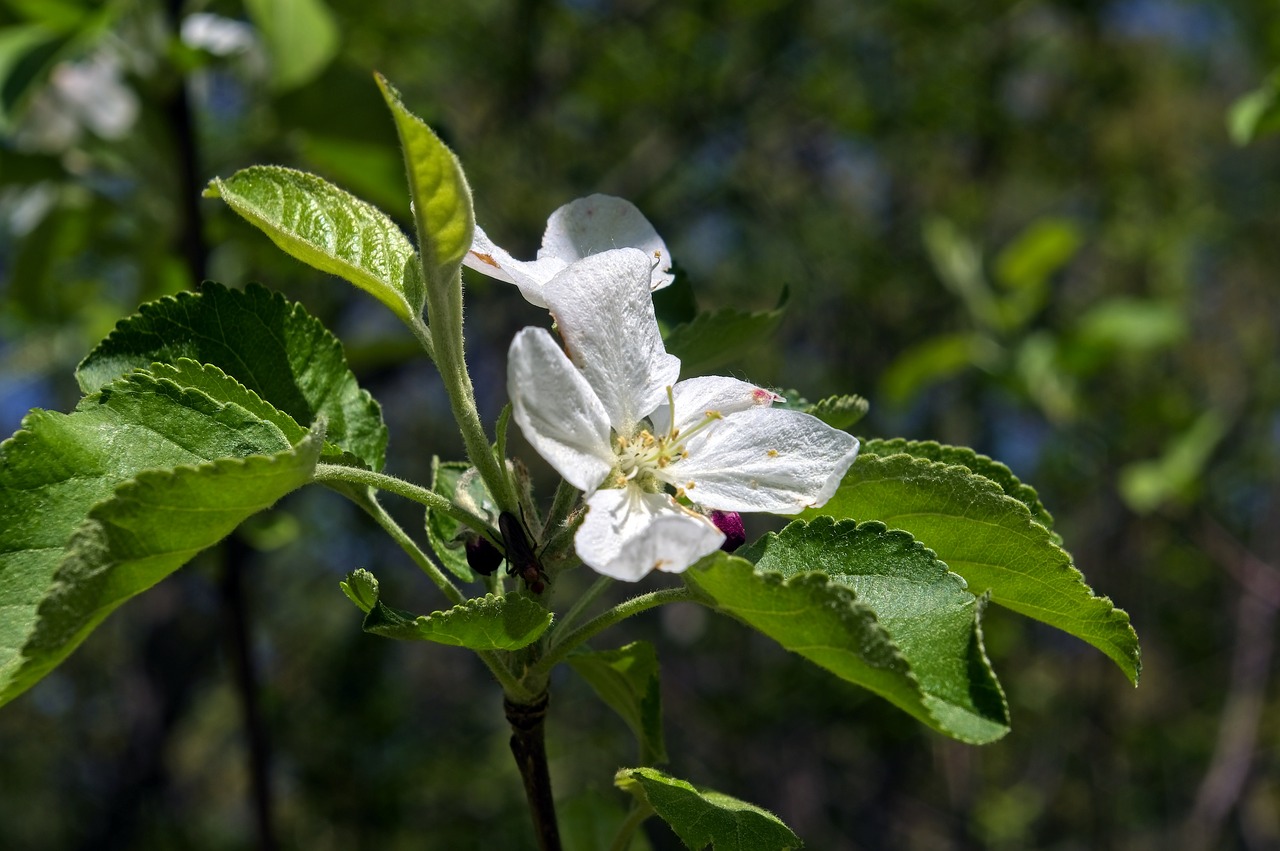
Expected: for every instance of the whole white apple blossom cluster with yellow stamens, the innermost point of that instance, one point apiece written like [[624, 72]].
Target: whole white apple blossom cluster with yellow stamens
[[653, 456]]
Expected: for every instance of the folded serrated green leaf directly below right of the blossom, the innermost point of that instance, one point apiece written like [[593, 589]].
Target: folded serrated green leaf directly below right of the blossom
[[915, 639]]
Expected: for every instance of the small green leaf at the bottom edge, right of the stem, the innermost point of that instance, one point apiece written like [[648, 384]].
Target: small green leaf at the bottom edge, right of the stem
[[702, 817]]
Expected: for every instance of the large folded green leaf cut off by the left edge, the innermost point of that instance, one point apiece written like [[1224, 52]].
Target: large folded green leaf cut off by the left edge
[[56, 591]]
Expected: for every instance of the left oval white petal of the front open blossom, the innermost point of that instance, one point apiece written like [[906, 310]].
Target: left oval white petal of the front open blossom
[[557, 411]]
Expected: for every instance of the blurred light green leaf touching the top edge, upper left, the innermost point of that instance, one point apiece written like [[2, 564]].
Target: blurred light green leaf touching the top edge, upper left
[[301, 38]]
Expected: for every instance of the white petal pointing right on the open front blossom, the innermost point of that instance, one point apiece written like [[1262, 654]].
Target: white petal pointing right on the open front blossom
[[765, 460]]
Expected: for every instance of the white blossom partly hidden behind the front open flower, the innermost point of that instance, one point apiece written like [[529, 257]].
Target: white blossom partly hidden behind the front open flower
[[575, 231]]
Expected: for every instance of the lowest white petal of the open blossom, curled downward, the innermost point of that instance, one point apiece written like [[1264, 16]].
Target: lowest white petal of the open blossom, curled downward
[[629, 533]]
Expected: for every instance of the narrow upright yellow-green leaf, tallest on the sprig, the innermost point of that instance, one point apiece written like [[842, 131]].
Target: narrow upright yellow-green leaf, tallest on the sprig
[[442, 200]]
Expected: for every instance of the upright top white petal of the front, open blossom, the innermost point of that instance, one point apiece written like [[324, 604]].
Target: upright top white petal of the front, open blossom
[[605, 314]]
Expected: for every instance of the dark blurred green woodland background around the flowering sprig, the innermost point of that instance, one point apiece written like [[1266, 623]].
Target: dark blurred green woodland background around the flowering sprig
[[1045, 230]]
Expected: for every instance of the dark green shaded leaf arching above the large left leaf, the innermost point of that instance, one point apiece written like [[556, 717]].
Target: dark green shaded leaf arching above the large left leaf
[[271, 346]]
